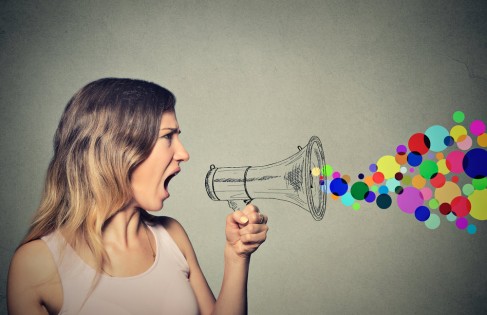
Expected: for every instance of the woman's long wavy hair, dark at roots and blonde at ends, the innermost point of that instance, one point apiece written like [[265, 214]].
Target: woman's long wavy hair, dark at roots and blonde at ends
[[108, 128]]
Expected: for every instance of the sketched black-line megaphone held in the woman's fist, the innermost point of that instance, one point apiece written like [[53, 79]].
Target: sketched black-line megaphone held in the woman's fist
[[289, 180]]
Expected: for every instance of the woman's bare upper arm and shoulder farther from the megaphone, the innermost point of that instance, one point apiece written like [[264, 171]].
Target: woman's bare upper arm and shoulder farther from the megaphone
[[33, 285]]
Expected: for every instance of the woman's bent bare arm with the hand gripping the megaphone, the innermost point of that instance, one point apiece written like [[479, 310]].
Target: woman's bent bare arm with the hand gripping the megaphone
[[244, 235]]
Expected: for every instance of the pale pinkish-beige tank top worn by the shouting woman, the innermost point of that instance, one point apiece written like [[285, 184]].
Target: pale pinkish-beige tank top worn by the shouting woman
[[163, 289]]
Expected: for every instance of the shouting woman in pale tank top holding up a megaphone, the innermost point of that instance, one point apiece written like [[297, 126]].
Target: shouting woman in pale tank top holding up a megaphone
[[92, 247]]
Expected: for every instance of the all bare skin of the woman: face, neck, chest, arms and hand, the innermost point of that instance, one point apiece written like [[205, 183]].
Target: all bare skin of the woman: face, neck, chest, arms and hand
[[34, 286]]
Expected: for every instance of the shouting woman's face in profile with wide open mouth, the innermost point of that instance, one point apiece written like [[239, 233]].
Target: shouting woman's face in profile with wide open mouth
[[150, 179]]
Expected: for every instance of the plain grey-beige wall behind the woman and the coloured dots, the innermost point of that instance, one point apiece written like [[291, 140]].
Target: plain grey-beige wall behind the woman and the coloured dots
[[254, 79]]
